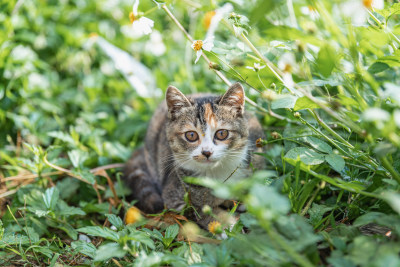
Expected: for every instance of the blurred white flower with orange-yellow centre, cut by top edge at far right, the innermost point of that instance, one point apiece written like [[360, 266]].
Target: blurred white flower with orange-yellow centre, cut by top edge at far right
[[357, 10]]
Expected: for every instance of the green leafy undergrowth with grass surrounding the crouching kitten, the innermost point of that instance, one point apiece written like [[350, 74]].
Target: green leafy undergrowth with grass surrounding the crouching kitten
[[323, 82]]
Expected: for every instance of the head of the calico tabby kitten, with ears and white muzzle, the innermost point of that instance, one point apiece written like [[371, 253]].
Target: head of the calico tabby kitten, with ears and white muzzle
[[205, 132]]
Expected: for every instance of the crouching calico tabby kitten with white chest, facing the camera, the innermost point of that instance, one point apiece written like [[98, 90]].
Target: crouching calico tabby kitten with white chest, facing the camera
[[198, 136]]
